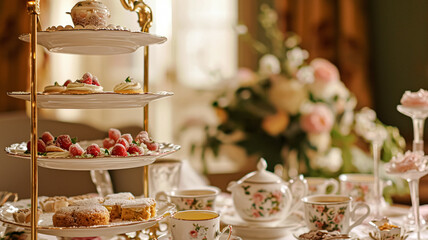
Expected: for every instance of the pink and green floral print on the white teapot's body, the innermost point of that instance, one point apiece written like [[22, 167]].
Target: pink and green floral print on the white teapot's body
[[264, 203]]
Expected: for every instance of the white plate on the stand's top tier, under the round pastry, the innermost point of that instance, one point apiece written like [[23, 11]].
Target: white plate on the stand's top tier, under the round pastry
[[94, 42]]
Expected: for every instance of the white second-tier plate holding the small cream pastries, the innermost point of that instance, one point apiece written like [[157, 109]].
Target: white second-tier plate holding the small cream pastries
[[104, 100]]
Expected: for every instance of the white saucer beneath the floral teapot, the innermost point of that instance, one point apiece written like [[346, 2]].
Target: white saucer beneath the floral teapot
[[248, 230]]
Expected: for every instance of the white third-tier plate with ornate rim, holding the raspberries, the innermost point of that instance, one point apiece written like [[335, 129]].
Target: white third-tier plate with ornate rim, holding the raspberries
[[95, 163]]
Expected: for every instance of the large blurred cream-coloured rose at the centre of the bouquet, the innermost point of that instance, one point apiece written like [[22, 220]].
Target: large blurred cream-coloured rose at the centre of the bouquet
[[287, 95]]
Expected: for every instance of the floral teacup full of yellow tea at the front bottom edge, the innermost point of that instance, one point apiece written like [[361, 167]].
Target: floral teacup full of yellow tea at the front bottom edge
[[197, 225]]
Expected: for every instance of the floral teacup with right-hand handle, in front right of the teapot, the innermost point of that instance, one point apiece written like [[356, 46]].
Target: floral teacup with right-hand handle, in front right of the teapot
[[332, 213]]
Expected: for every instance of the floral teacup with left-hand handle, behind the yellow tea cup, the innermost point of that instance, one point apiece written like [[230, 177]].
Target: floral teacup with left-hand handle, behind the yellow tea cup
[[194, 199]]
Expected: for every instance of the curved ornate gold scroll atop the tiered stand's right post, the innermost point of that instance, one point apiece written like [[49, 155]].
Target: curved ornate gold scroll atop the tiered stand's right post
[[145, 15]]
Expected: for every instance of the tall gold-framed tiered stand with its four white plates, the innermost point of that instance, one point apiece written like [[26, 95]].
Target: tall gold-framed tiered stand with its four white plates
[[100, 42]]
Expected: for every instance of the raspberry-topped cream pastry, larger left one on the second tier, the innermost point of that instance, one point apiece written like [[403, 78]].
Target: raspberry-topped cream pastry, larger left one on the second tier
[[88, 84]]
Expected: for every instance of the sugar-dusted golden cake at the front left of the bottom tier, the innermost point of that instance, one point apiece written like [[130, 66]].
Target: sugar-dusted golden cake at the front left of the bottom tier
[[76, 216]]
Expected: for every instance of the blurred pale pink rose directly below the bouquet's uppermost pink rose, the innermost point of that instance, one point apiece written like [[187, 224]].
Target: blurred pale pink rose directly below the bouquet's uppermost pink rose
[[319, 119]]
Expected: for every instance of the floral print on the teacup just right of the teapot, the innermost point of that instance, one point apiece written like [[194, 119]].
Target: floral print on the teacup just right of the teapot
[[328, 218]]
